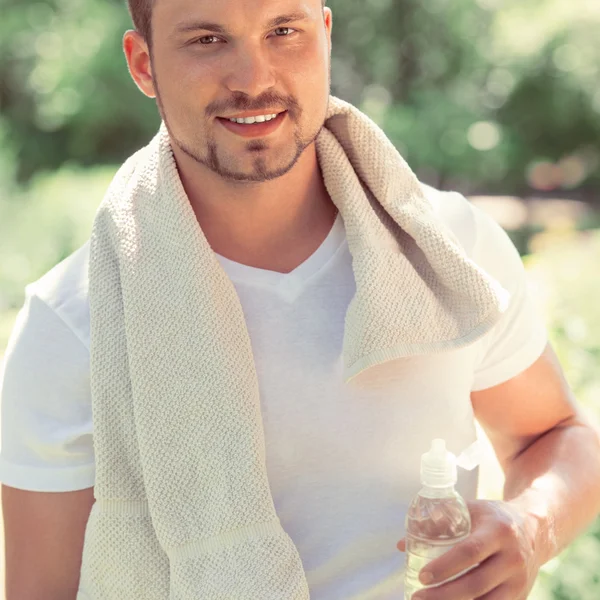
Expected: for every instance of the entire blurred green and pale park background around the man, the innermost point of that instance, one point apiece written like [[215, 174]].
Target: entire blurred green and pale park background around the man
[[498, 99]]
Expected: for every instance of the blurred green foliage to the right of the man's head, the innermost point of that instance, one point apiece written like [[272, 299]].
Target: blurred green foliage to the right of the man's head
[[475, 93]]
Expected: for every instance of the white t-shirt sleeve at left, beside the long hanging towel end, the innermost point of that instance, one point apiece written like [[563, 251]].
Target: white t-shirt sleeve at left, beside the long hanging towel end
[[45, 405]]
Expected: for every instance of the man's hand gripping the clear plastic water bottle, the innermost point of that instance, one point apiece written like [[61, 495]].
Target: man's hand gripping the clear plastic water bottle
[[502, 544]]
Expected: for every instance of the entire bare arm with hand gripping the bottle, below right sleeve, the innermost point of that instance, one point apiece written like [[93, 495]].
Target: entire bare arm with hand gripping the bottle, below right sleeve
[[551, 460]]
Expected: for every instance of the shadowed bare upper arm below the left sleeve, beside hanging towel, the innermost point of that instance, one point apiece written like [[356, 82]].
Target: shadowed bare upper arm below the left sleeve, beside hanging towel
[[44, 533]]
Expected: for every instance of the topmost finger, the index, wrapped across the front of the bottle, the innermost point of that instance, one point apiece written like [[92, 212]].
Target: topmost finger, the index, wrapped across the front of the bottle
[[477, 548]]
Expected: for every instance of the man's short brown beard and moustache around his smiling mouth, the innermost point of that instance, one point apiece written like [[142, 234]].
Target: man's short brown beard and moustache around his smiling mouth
[[258, 163]]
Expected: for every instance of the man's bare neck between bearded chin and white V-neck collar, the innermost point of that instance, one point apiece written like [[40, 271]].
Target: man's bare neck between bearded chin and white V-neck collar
[[274, 225]]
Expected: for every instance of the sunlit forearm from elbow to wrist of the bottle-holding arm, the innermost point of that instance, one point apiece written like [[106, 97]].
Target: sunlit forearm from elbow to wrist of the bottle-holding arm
[[557, 481]]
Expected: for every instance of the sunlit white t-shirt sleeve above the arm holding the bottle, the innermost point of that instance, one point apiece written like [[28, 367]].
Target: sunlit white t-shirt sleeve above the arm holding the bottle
[[519, 338]]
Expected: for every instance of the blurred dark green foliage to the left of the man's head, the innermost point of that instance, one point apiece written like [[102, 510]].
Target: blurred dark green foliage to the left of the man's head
[[66, 93]]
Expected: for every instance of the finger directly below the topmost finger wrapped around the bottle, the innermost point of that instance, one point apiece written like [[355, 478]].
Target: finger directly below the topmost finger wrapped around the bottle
[[475, 584]]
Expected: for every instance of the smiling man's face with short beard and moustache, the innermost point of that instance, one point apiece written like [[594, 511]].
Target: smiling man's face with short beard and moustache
[[217, 60]]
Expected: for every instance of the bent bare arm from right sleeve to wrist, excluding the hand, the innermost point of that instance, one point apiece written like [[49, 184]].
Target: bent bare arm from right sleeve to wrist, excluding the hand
[[549, 453]]
